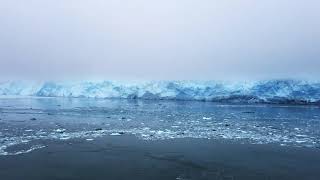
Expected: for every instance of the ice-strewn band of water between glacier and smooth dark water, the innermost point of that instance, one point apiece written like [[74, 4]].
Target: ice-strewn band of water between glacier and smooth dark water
[[29, 124]]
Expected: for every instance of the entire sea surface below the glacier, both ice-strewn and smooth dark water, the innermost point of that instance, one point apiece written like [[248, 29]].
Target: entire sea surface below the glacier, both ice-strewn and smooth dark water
[[56, 138]]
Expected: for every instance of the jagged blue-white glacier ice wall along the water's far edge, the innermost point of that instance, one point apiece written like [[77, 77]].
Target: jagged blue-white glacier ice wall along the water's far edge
[[269, 91]]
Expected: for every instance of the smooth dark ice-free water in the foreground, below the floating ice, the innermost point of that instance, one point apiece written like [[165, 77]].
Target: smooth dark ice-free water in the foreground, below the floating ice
[[126, 157]]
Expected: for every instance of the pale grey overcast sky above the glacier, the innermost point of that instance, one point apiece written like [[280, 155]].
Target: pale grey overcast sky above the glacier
[[163, 39]]
